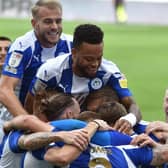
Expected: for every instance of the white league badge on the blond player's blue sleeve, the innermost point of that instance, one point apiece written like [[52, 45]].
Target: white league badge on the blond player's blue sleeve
[[15, 59]]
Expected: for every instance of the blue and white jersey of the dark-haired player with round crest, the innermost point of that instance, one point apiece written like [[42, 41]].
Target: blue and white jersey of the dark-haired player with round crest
[[57, 73]]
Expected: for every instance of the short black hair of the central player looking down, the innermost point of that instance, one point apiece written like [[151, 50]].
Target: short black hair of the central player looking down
[[88, 33]]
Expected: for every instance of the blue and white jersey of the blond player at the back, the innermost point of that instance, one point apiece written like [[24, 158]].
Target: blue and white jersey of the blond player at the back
[[26, 55]]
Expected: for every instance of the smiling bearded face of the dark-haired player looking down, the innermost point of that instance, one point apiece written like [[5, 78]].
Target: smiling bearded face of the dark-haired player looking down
[[87, 59]]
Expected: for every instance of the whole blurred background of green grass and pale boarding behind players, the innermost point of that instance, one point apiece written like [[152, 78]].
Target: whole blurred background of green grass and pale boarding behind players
[[139, 48]]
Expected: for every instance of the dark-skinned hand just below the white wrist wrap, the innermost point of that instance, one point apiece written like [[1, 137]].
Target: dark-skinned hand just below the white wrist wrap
[[123, 126]]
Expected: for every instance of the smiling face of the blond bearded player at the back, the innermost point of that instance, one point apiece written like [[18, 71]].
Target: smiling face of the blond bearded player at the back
[[48, 25]]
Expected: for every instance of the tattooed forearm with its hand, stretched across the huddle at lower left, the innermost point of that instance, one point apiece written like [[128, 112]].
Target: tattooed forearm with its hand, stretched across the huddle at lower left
[[78, 138]]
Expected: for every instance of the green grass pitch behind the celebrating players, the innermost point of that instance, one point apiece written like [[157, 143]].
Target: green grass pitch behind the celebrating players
[[140, 51]]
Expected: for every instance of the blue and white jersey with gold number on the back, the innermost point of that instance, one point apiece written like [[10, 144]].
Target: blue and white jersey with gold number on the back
[[126, 156]]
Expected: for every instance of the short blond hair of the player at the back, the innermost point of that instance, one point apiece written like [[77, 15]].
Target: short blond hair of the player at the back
[[51, 4]]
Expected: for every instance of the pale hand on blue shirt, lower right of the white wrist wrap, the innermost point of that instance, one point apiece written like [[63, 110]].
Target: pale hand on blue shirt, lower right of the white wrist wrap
[[143, 140]]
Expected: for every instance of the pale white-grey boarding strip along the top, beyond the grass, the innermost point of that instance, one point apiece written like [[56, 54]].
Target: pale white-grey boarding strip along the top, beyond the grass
[[139, 11]]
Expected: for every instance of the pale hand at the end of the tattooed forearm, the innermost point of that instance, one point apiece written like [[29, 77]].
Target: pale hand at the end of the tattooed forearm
[[78, 138]]
